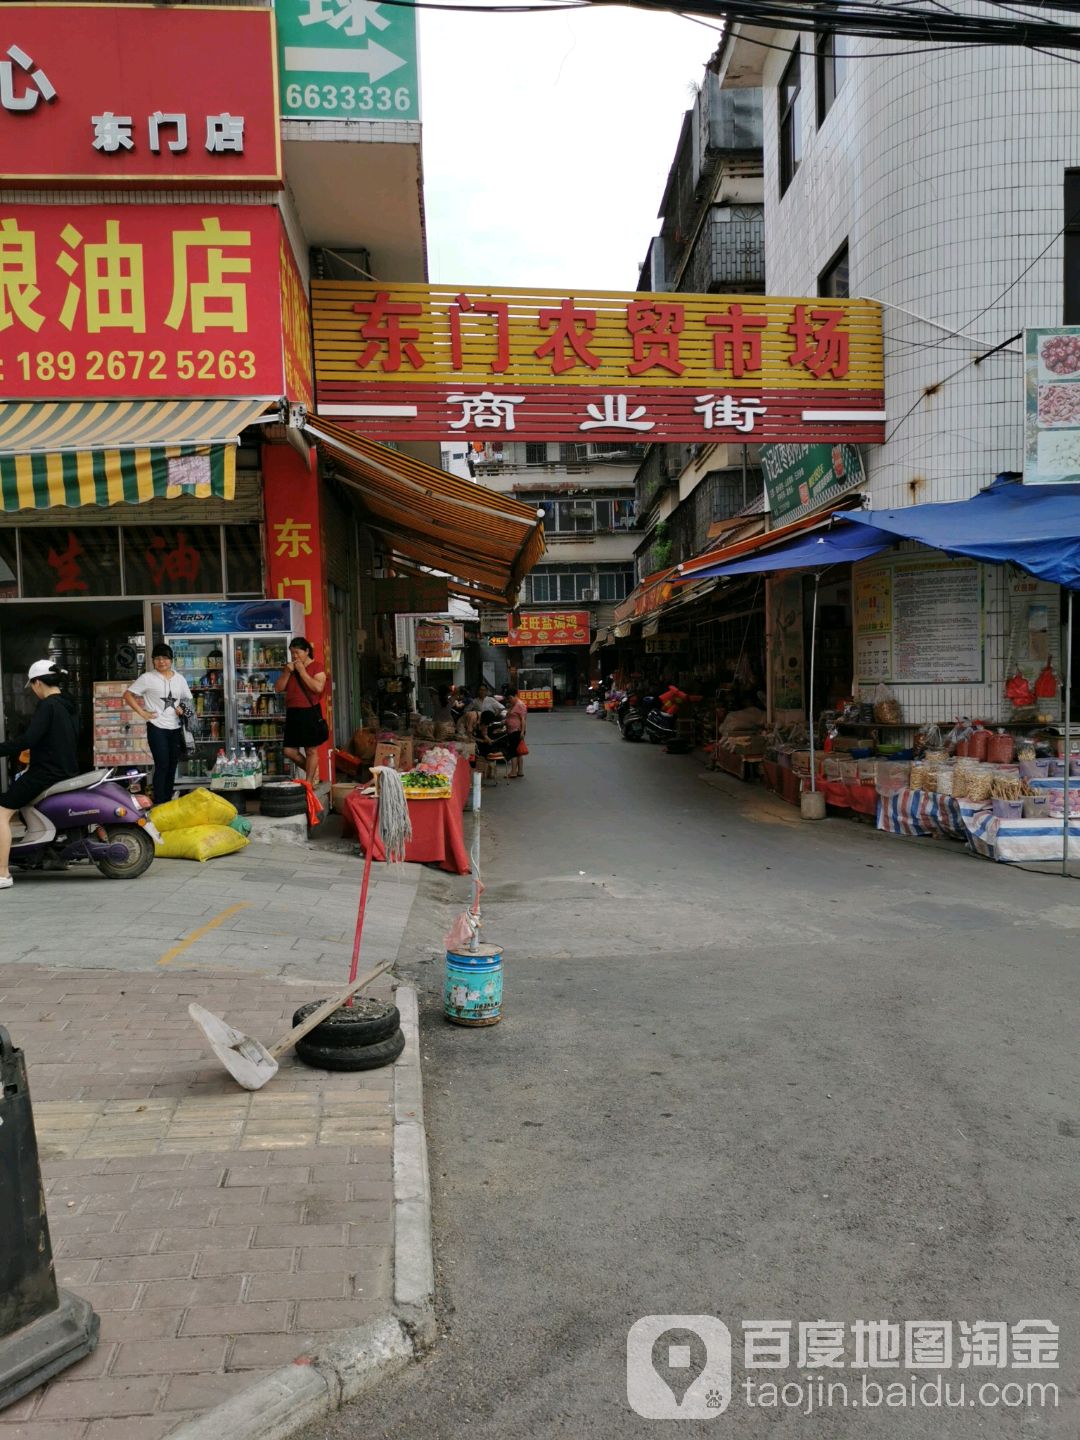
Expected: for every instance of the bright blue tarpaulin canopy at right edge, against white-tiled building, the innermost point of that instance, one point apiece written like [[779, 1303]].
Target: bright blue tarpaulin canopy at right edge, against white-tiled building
[[1036, 528]]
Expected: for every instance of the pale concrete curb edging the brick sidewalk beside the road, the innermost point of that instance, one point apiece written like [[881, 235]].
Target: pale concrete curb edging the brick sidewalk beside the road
[[286, 1400]]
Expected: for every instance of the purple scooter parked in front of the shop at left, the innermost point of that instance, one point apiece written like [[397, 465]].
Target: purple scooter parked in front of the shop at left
[[93, 817]]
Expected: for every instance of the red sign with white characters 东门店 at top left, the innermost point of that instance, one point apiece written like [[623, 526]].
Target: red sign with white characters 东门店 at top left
[[139, 96]]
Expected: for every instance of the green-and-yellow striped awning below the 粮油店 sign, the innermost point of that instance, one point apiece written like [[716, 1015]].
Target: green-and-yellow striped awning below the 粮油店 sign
[[114, 453]]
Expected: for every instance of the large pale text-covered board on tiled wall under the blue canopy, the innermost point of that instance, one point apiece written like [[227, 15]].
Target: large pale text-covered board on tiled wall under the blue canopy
[[919, 621]]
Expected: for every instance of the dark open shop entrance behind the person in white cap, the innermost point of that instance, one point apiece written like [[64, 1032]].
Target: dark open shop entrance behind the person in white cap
[[91, 640]]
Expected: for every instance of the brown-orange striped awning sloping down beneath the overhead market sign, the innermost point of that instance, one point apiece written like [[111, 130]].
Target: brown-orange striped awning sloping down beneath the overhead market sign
[[485, 541]]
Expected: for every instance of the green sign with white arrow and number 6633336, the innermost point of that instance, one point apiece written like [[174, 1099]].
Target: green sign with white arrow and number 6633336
[[348, 60]]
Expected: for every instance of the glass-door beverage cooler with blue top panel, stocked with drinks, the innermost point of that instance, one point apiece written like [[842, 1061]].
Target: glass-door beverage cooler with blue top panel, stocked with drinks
[[231, 653]]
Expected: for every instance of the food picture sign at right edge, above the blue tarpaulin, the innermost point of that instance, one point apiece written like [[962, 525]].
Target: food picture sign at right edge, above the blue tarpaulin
[[1052, 407]]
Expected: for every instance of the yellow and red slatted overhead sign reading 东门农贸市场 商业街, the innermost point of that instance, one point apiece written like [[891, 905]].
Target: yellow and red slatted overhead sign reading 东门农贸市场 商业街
[[424, 362]]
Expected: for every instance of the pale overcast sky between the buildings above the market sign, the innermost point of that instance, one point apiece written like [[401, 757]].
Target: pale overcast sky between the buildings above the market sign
[[548, 140]]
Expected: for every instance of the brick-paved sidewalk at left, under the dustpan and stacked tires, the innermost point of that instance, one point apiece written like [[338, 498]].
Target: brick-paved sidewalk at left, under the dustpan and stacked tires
[[218, 1233]]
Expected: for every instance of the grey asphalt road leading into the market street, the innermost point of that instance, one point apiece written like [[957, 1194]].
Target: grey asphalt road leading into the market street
[[752, 1069]]
